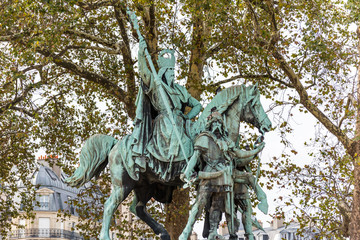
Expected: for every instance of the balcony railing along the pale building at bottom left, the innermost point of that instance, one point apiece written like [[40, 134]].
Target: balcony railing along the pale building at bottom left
[[45, 233]]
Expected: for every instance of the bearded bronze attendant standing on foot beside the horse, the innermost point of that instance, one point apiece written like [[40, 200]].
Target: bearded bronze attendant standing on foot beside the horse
[[214, 152]]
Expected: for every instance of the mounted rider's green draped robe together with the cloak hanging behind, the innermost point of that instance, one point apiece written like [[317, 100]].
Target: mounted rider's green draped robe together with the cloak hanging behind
[[154, 143]]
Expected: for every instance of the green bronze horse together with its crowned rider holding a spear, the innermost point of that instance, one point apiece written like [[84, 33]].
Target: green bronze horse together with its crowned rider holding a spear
[[150, 160]]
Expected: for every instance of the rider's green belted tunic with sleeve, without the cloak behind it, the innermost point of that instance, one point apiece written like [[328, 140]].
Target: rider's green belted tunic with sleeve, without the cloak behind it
[[164, 144]]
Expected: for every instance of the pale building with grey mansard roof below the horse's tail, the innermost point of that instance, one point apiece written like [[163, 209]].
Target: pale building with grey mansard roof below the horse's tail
[[52, 198]]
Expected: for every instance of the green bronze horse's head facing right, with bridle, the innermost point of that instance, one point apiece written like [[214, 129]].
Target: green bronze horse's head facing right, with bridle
[[253, 112]]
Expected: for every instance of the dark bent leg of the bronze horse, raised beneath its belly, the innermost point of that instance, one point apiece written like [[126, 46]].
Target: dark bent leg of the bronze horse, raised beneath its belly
[[138, 207]]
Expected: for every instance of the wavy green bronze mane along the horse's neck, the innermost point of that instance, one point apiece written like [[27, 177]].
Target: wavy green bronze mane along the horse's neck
[[222, 102]]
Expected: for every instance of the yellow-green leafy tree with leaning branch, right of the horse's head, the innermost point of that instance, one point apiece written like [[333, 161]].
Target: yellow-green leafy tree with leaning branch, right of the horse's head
[[310, 44]]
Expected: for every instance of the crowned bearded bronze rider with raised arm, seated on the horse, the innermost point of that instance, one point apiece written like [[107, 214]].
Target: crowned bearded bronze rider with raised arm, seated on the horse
[[155, 136]]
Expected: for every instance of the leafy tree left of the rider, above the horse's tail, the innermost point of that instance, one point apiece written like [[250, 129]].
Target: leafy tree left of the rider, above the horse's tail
[[60, 60]]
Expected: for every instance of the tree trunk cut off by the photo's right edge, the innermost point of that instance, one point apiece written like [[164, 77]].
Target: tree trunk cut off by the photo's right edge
[[355, 213]]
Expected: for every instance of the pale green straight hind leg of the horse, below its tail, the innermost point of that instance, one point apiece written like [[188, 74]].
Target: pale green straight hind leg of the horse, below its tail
[[118, 195]]
